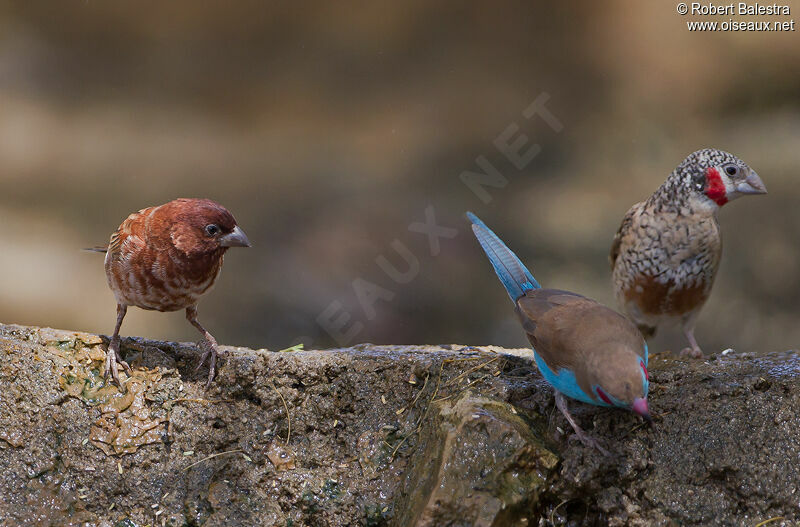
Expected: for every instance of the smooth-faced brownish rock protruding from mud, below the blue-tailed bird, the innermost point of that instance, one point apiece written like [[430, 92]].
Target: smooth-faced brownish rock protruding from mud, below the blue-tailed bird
[[478, 463]]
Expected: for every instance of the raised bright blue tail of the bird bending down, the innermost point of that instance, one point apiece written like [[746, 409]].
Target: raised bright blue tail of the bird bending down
[[512, 273]]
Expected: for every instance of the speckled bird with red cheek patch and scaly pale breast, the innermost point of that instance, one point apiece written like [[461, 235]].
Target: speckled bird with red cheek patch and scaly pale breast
[[666, 253]]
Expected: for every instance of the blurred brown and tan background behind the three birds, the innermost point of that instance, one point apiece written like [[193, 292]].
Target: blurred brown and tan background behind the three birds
[[328, 130]]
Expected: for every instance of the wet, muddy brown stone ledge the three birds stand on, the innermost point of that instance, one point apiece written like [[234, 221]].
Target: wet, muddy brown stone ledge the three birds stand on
[[383, 436]]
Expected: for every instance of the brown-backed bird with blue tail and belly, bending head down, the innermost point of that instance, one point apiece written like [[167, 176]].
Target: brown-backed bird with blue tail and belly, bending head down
[[584, 349]]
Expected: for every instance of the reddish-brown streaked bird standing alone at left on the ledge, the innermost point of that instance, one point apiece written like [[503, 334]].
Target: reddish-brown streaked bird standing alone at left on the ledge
[[164, 259]]
